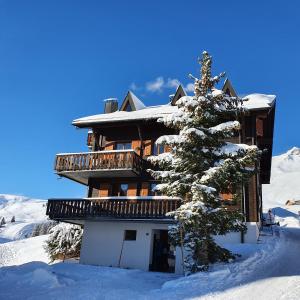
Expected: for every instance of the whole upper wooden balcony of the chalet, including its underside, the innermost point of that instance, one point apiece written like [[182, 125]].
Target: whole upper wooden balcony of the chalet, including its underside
[[82, 166]]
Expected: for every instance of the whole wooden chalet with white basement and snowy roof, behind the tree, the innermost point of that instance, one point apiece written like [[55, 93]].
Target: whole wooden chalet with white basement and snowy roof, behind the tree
[[124, 218]]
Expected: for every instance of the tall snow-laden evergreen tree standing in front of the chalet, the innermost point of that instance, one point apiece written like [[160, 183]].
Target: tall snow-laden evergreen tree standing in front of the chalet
[[202, 165]]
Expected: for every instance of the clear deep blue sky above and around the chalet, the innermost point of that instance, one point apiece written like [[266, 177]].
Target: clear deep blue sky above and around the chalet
[[59, 59]]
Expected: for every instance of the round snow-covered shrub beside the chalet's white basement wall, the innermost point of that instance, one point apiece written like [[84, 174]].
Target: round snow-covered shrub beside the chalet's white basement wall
[[64, 241]]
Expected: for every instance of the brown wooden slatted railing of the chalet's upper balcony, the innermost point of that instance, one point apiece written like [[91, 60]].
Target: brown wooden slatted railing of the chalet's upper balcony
[[127, 159]]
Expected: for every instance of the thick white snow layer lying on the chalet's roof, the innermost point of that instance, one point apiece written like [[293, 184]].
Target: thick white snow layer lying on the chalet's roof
[[254, 102]]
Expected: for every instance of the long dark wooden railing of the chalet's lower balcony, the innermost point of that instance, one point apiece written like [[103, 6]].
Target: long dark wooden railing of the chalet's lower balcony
[[142, 208]]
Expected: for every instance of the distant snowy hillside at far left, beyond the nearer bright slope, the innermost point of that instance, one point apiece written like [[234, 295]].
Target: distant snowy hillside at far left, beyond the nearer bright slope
[[27, 212]]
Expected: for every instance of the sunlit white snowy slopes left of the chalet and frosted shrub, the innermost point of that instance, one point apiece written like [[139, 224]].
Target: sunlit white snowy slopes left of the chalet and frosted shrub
[[15, 248]]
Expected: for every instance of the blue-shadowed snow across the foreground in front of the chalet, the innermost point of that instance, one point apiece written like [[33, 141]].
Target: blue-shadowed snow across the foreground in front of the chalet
[[73, 281]]
